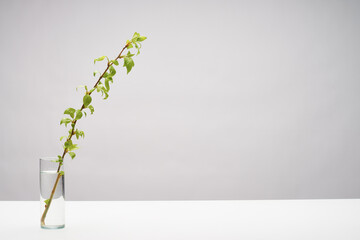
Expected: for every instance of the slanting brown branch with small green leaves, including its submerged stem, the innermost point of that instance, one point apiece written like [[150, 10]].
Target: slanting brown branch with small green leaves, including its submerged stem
[[102, 86]]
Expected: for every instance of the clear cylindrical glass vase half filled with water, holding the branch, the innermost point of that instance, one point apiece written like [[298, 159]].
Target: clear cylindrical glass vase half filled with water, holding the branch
[[52, 194]]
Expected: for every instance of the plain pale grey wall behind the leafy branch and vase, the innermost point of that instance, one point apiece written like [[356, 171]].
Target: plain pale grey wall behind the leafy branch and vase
[[228, 99]]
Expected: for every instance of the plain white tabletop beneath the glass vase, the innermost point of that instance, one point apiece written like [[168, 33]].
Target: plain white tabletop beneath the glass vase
[[172, 220]]
